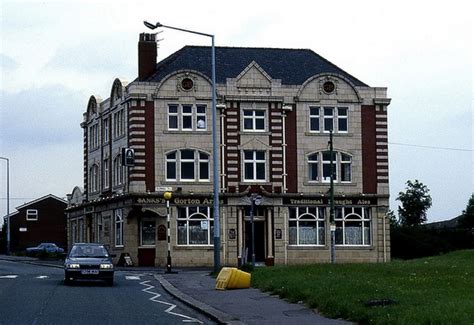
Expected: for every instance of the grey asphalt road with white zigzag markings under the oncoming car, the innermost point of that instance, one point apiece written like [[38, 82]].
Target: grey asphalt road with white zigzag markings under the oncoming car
[[34, 294]]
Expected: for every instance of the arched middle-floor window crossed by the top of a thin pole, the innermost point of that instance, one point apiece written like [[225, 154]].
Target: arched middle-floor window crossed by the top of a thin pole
[[319, 167]]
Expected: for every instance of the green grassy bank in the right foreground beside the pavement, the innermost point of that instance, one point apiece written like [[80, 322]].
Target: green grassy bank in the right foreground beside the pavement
[[434, 290]]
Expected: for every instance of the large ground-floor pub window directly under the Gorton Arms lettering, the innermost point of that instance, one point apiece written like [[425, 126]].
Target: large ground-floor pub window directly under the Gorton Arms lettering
[[195, 226]]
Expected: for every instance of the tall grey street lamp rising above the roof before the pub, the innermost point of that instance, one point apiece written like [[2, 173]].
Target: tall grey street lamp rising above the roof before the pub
[[215, 162]]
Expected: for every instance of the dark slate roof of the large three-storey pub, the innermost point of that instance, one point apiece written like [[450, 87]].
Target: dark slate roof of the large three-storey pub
[[292, 66]]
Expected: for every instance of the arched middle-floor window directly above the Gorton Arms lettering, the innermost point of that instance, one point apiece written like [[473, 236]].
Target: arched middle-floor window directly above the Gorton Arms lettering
[[187, 165]]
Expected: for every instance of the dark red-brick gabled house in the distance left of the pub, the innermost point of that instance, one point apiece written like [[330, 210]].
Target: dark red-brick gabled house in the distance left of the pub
[[39, 221]]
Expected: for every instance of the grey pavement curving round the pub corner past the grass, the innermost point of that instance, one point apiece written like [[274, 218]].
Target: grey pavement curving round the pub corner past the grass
[[196, 288]]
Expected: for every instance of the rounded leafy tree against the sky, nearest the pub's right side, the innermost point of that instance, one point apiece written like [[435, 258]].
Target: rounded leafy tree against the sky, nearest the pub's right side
[[416, 200]]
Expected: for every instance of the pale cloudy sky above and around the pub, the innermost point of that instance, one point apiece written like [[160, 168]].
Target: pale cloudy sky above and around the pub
[[55, 54]]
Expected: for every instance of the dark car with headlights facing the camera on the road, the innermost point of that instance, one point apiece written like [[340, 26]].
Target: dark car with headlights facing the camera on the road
[[90, 262]]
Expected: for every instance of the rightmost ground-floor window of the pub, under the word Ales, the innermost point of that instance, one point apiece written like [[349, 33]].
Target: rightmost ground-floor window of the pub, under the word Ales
[[353, 226]]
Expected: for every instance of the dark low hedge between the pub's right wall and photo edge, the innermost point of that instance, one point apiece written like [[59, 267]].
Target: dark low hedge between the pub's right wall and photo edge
[[415, 242]]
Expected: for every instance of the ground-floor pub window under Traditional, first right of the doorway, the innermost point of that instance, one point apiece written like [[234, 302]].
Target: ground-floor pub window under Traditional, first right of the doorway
[[306, 226]]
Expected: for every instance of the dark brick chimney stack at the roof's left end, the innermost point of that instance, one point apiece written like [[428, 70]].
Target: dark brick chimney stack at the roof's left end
[[147, 54]]
